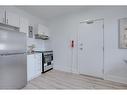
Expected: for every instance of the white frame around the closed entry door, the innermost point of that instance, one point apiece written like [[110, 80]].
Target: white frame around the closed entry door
[[85, 21]]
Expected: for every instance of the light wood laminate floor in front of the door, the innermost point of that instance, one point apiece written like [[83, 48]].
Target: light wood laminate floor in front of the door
[[62, 80]]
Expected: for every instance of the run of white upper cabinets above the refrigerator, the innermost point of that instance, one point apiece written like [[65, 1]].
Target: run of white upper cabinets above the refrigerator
[[13, 19]]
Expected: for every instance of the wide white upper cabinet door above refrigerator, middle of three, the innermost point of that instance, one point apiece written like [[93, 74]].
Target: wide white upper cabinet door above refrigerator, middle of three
[[12, 19]]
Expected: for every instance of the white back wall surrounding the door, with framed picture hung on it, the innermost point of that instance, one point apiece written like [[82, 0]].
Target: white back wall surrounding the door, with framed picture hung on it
[[65, 28]]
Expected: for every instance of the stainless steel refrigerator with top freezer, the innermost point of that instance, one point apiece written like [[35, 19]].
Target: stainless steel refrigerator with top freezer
[[13, 59]]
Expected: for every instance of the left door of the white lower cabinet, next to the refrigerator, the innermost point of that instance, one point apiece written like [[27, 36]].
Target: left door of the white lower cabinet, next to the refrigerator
[[30, 67]]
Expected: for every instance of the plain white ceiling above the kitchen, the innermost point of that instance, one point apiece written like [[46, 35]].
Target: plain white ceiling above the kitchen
[[50, 12]]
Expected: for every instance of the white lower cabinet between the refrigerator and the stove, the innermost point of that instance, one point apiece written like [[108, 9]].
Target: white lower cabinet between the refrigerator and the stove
[[34, 66]]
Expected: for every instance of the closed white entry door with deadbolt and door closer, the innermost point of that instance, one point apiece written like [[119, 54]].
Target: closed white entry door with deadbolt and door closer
[[90, 48]]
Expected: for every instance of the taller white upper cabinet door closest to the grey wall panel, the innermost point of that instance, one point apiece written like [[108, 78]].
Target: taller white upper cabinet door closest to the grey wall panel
[[24, 23]]
